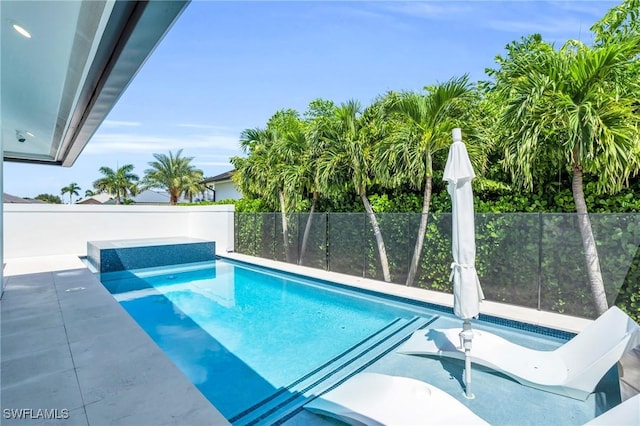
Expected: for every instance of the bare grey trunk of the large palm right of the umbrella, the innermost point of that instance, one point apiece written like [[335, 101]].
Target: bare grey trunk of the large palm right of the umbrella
[[588, 243]]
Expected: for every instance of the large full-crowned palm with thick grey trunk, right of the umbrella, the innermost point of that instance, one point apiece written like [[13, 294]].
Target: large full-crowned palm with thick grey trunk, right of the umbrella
[[570, 108]]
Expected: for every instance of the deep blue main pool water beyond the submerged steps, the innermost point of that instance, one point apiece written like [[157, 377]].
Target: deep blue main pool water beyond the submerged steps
[[241, 334]]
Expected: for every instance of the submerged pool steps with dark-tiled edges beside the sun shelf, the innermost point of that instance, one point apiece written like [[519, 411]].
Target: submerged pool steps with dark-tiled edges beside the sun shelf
[[288, 401]]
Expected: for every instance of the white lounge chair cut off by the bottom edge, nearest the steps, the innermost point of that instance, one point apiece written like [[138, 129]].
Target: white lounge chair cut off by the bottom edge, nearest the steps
[[374, 399]]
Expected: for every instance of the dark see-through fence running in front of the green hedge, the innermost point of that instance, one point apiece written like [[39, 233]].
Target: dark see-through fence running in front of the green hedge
[[528, 259]]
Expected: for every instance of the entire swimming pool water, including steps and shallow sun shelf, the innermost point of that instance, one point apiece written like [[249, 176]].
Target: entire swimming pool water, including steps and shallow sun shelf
[[258, 342]]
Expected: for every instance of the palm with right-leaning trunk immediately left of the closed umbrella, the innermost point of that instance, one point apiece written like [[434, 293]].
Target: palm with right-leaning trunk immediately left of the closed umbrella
[[406, 154]]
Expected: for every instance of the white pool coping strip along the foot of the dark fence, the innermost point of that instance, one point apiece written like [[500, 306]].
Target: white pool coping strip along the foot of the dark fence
[[551, 320]]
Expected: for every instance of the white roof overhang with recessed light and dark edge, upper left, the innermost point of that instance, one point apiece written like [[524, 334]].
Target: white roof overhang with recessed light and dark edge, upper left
[[59, 84]]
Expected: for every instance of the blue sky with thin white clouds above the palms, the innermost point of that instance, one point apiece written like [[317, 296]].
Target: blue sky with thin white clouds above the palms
[[229, 65]]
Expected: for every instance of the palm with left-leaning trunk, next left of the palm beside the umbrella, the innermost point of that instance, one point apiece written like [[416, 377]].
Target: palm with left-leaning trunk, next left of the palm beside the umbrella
[[347, 157]]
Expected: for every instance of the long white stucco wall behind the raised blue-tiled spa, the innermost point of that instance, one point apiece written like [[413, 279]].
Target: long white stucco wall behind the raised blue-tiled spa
[[45, 229]]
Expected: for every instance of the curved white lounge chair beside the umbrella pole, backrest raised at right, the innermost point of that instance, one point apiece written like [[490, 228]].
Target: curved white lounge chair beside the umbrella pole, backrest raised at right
[[574, 369]]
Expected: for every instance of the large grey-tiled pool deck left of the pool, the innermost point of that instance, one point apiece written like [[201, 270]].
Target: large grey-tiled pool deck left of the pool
[[68, 347]]
